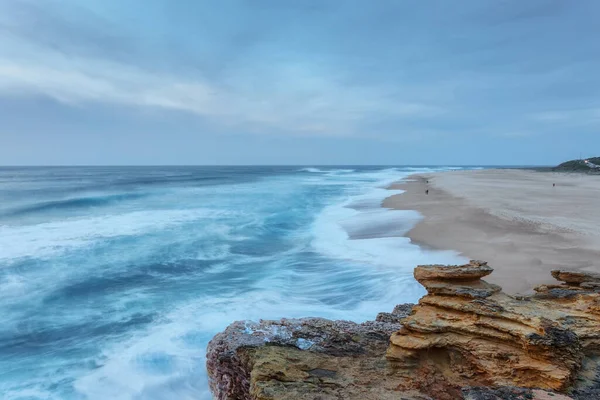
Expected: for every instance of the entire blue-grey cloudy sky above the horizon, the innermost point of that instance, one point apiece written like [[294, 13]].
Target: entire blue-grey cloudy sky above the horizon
[[304, 82]]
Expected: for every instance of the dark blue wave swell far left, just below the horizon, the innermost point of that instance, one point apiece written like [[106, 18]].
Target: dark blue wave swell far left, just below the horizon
[[78, 203]]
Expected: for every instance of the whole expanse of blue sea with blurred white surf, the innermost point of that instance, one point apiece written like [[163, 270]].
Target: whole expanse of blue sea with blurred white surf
[[113, 280]]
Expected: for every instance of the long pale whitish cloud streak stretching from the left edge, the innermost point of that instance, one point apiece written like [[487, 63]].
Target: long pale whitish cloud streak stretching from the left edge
[[295, 99]]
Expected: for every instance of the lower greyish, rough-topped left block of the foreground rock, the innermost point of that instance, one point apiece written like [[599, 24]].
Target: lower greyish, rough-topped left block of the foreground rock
[[305, 359]]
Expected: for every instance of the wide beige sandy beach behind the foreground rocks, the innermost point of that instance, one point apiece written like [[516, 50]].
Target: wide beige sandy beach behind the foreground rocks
[[514, 219]]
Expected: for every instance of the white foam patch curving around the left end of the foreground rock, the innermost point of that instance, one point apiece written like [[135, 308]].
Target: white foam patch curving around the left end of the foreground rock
[[177, 345]]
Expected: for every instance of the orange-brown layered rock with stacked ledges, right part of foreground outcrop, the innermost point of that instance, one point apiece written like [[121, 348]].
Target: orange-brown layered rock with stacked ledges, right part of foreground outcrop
[[466, 332]]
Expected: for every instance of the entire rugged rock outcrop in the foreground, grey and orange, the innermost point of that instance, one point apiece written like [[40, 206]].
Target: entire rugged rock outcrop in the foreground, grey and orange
[[465, 339]]
